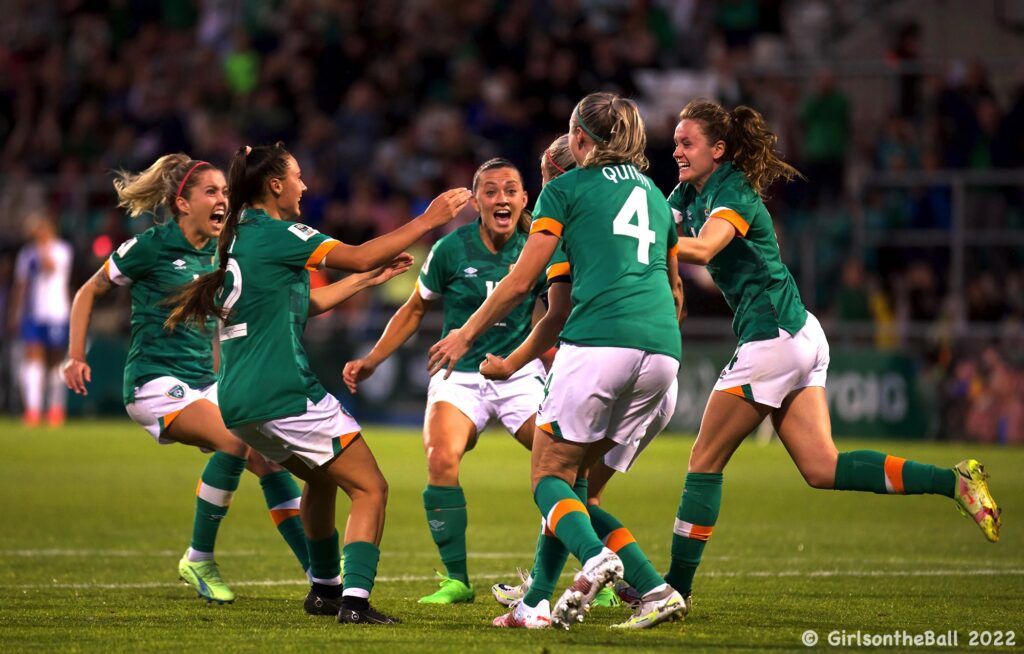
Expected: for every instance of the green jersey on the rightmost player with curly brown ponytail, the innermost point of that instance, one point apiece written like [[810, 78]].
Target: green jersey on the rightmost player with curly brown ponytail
[[750, 272]]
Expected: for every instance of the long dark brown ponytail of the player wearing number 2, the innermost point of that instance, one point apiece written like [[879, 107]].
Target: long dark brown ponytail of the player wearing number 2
[[247, 178]]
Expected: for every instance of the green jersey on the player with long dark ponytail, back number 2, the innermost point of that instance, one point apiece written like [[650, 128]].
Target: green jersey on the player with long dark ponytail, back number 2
[[265, 373]]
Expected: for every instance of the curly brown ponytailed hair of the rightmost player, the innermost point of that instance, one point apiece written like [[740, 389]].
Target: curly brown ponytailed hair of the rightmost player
[[749, 143]]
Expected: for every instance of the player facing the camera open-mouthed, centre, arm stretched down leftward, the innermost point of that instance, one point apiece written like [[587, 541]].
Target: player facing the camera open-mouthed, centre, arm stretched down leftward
[[462, 270]]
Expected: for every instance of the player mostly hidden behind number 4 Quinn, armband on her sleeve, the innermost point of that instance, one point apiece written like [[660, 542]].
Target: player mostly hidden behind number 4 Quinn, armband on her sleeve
[[538, 587]]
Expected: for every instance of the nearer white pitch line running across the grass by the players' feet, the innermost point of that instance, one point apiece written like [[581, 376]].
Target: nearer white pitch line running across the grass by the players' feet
[[503, 576]]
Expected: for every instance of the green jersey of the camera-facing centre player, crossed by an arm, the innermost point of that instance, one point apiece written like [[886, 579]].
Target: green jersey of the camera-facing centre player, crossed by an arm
[[463, 272]]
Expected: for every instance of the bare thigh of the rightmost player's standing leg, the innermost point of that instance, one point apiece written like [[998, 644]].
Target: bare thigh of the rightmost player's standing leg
[[728, 421]]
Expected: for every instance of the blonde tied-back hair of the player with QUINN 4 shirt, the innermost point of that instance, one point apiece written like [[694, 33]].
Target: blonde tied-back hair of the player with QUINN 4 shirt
[[616, 127]]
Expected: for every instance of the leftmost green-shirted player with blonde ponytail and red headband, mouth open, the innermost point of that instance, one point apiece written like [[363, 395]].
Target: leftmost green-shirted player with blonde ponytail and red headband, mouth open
[[169, 380]]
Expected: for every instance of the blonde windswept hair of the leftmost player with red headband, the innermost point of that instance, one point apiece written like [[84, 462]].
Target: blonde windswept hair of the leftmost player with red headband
[[159, 185]]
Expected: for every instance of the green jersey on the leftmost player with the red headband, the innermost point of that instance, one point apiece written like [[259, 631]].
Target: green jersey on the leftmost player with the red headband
[[157, 264]]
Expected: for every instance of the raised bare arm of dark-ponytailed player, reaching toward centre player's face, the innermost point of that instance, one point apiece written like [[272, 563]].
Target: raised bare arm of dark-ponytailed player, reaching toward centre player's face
[[379, 251]]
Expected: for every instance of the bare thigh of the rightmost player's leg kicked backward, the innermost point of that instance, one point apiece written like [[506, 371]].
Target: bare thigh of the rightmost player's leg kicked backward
[[805, 428]]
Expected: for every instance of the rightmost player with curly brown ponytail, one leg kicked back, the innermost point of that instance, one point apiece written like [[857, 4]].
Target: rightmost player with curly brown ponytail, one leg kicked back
[[727, 160]]
